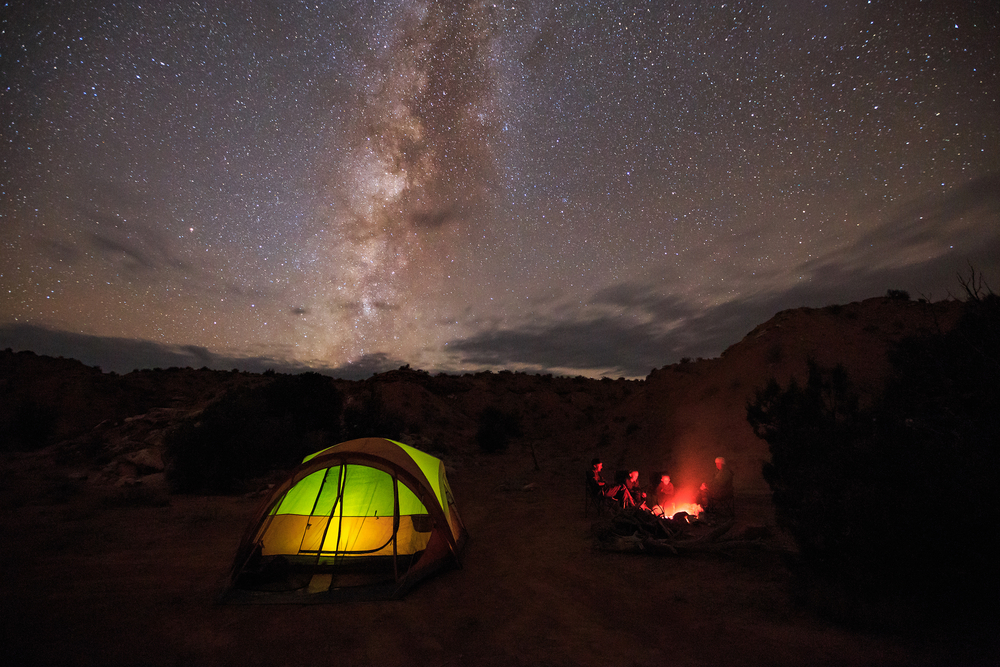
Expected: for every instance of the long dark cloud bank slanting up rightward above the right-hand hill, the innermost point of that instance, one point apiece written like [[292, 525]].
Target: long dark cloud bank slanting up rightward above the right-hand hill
[[641, 326]]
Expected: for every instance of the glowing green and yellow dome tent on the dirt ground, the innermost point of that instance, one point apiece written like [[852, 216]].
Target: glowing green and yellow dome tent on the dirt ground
[[365, 519]]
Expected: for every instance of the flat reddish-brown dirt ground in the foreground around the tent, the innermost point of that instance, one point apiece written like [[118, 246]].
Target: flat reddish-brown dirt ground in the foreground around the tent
[[84, 582]]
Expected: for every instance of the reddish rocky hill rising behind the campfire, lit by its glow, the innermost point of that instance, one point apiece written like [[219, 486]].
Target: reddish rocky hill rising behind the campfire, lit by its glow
[[696, 411]]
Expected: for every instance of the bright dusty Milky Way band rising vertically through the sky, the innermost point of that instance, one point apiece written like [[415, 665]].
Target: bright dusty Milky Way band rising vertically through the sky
[[418, 166]]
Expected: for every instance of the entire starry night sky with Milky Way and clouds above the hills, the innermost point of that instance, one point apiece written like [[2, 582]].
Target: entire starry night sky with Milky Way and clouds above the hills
[[588, 187]]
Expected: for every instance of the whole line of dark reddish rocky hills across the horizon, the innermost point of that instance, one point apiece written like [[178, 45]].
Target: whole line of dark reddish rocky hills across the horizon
[[108, 430]]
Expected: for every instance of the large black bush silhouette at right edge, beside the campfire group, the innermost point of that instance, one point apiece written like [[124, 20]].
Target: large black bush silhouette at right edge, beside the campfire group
[[896, 503]]
